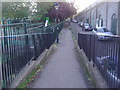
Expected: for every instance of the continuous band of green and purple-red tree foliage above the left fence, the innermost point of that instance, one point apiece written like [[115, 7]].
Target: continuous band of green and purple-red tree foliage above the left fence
[[37, 11]]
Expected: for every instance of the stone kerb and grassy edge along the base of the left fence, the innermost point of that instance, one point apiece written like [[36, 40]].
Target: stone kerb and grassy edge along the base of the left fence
[[22, 76]]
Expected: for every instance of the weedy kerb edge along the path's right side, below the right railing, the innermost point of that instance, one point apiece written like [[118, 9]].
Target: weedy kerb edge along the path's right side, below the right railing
[[94, 73]]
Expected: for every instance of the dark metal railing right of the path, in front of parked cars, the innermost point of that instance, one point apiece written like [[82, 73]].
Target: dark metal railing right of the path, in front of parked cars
[[105, 55]]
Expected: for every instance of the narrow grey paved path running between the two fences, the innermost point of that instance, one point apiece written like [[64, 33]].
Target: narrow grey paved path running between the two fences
[[63, 69]]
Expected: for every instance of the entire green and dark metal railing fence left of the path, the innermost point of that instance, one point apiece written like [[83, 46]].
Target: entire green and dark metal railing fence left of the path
[[20, 43]]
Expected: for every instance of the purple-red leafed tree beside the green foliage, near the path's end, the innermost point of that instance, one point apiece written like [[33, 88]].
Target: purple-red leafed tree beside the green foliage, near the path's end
[[66, 10]]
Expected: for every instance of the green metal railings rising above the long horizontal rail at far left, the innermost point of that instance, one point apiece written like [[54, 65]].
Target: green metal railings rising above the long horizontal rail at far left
[[8, 27]]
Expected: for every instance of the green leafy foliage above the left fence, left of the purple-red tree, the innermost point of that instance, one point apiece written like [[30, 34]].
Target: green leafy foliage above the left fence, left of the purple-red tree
[[22, 9]]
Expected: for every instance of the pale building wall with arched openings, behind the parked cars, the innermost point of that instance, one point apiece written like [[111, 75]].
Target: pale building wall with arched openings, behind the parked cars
[[105, 9]]
